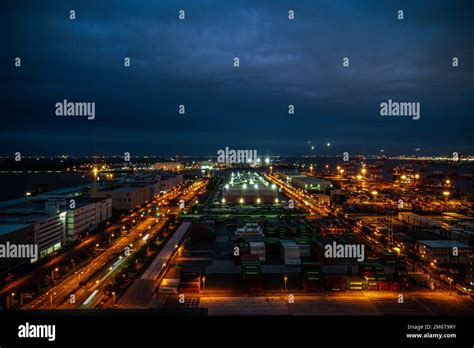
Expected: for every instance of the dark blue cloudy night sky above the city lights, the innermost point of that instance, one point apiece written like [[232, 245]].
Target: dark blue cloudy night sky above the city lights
[[282, 62]]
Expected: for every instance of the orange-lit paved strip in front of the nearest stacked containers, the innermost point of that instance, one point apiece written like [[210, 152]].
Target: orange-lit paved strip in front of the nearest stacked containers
[[354, 303]]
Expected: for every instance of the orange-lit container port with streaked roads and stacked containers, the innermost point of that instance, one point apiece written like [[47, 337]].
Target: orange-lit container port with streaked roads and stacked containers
[[268, 241]]
